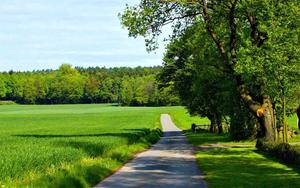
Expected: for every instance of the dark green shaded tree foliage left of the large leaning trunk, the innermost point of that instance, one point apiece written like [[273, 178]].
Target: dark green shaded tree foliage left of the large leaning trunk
[[192, 68]]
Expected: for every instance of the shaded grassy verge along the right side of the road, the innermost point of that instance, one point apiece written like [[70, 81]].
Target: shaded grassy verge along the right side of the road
[[238, 164]]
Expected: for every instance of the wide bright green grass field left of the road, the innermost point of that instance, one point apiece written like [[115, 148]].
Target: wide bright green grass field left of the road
[[72, 145]]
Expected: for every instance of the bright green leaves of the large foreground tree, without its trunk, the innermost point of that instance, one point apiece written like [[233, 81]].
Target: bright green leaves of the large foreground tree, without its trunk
[[267, 35]]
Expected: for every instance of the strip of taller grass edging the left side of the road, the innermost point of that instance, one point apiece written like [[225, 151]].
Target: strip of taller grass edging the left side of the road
[[90, 171]]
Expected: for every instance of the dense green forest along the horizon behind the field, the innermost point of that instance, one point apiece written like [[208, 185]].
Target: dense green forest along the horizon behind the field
[[68, 85]]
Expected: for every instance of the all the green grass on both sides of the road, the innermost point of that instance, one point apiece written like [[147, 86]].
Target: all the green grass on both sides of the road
[[79, 145]]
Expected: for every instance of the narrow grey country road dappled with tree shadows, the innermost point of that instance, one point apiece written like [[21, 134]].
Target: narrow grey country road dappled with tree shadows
[[169, 163]]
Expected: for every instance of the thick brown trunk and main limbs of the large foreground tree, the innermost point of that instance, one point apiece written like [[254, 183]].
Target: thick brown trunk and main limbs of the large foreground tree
[[266, 119]]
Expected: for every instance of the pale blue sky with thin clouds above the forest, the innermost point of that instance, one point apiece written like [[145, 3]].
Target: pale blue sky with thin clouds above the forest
[[40, 34]]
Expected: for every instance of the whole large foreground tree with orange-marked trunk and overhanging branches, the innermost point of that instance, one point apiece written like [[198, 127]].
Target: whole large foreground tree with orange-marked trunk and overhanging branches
[[238, 30]]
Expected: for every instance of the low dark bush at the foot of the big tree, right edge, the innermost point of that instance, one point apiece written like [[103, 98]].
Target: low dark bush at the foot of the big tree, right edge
[[283, 151]]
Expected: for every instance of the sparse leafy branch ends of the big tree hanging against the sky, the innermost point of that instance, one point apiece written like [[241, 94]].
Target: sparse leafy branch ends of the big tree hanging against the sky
[[149, 17]]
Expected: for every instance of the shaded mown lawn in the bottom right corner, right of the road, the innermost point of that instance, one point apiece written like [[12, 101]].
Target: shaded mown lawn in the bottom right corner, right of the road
[[244, 167]]
